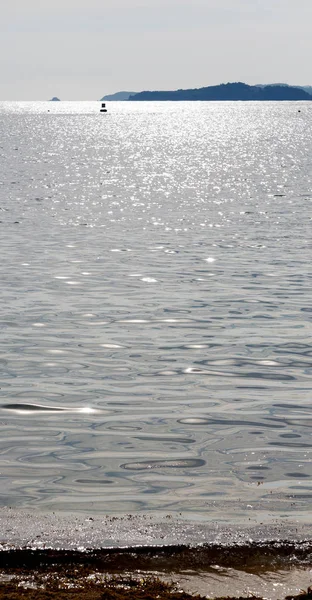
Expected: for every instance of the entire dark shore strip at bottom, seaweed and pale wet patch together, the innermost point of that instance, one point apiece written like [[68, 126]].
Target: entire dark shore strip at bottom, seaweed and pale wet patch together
[[271, 570]]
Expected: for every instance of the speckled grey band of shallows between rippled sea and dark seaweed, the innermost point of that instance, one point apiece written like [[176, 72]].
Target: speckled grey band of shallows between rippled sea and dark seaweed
[[20, 528]]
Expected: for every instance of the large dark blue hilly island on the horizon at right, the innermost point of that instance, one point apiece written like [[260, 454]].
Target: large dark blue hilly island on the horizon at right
[[229, 91]]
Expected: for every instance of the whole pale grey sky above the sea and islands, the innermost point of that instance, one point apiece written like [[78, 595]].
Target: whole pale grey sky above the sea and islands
[[84, 49]]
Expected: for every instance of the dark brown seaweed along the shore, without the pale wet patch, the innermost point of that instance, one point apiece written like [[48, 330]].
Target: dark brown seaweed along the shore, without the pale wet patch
[[138, 573]]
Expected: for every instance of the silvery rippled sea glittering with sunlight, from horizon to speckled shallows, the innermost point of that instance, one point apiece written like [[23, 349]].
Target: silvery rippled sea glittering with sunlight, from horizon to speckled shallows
[[155, 308]]
